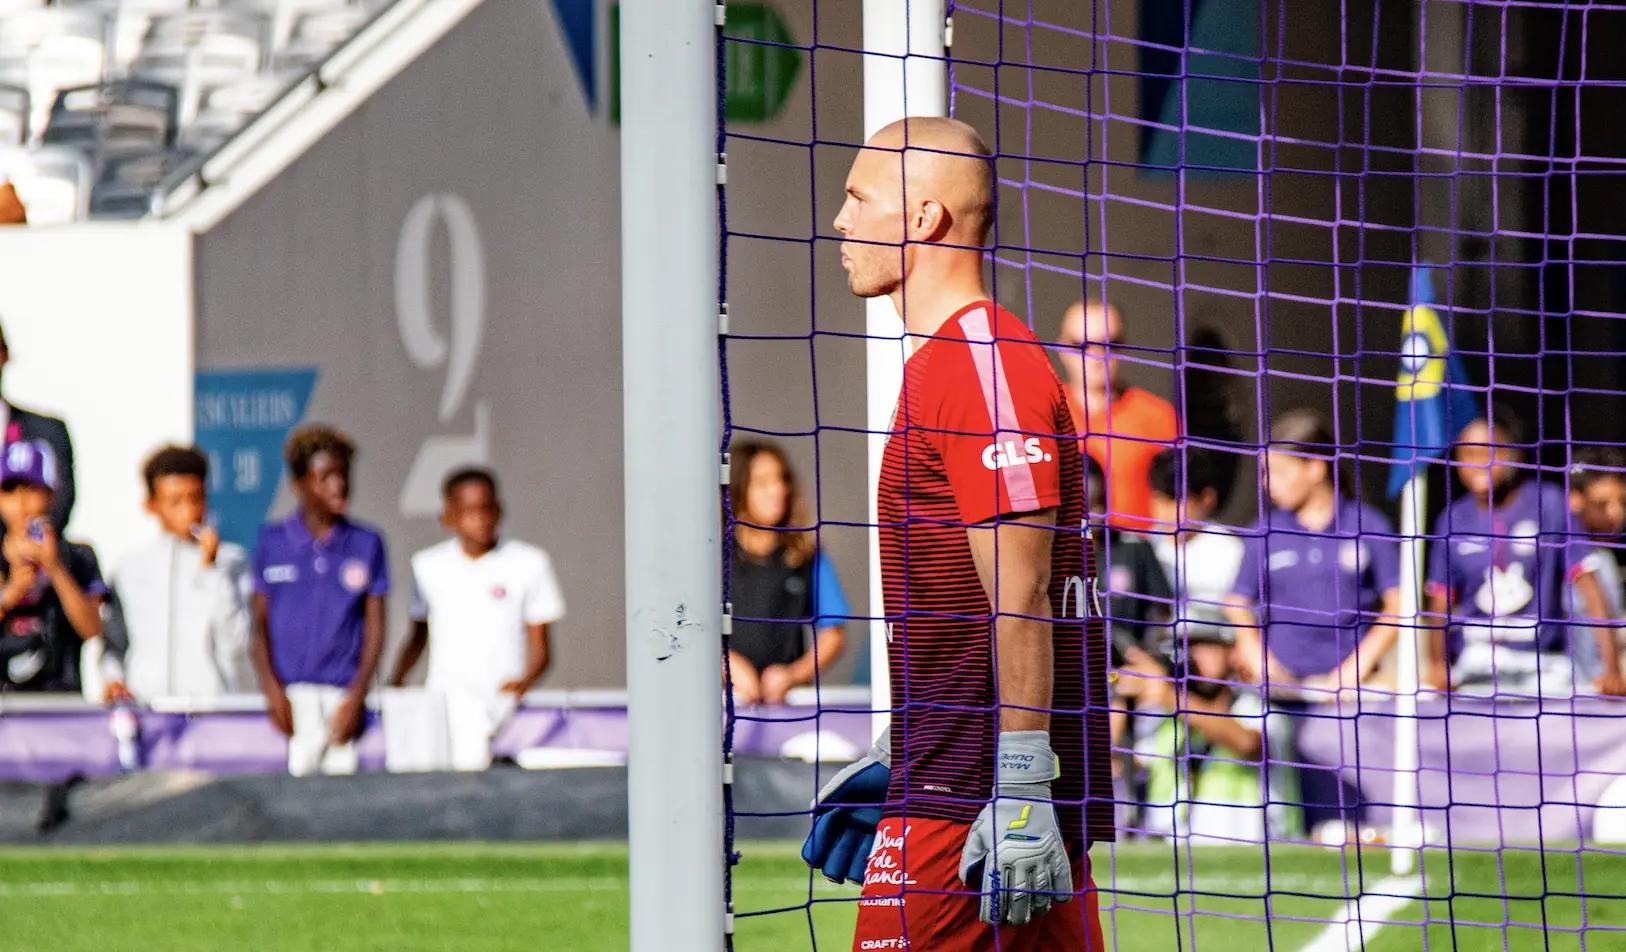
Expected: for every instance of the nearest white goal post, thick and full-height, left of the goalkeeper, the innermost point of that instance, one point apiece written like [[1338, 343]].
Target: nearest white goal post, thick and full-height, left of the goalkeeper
[[672, 432]]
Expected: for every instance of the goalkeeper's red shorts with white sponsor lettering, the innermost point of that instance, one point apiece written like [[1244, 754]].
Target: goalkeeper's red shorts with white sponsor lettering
[[913, 901]]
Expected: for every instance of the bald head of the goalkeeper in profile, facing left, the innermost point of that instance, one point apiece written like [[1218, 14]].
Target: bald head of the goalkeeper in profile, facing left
[[918, 183]]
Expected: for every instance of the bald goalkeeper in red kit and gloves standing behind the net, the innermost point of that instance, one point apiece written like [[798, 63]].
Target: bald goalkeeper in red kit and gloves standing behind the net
[[970, 826]]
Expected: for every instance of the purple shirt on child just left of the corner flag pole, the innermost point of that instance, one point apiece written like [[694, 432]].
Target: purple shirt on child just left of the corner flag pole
[[1318, 592]]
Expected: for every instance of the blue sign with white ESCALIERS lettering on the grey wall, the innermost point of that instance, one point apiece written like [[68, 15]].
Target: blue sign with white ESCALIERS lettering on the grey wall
[[243, 419]]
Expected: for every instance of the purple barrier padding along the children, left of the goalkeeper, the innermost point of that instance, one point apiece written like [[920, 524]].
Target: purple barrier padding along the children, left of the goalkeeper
[[50, 746]]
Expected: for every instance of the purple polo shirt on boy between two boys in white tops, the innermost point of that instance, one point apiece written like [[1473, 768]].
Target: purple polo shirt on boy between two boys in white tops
[[316, 593]]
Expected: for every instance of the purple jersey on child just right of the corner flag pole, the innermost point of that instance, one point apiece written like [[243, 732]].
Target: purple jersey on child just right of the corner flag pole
[[1505, 569]]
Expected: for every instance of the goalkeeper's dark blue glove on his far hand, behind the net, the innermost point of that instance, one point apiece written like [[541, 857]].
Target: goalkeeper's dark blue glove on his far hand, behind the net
[[846, 814]]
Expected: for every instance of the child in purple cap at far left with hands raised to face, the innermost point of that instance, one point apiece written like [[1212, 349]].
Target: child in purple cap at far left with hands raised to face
[[53, 593]]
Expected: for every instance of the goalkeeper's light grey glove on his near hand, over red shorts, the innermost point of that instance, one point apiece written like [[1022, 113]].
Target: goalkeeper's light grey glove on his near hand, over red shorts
[[1015, 854]]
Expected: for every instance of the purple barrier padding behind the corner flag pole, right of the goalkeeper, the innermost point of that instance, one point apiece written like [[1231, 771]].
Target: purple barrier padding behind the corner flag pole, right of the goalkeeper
[[1490, 772]]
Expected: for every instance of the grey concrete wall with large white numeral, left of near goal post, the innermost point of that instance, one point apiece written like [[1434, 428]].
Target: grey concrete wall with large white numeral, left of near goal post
[[448, 261]]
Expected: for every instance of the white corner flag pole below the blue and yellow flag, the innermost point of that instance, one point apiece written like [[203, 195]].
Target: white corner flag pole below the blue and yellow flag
[[1407, 831]]
